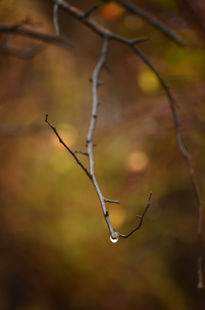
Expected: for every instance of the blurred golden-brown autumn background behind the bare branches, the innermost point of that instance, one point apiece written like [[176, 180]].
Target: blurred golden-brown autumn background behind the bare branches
[[55, 251]]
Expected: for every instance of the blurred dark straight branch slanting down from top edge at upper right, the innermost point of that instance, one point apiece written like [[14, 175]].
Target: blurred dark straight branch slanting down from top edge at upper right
[[134, 9]]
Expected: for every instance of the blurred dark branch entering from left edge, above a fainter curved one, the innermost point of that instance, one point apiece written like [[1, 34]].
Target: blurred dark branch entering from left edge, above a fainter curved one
[[45, 37]]
